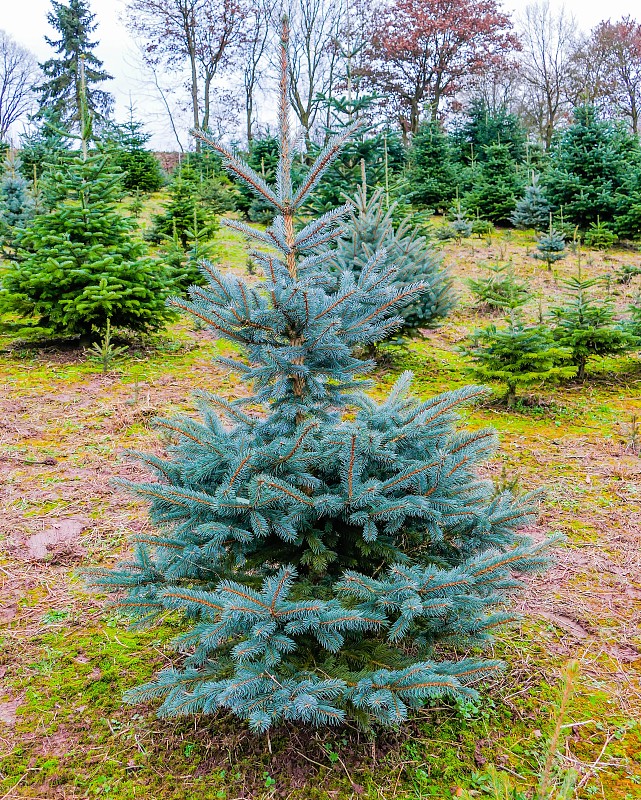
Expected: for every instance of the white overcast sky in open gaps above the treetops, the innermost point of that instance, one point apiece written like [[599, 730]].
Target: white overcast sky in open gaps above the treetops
[[26, 21]]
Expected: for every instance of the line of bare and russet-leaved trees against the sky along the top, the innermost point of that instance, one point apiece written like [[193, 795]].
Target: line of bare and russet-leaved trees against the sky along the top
[[416, 61]]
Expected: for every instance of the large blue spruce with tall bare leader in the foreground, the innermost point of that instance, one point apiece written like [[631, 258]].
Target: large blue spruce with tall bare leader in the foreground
[[317, 556]]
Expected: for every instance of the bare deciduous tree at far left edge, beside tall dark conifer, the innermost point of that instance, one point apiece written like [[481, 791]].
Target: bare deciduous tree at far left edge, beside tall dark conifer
[[18, 74]]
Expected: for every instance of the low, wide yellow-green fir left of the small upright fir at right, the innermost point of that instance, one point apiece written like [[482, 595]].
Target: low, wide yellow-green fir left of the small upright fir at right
[[518, 355]]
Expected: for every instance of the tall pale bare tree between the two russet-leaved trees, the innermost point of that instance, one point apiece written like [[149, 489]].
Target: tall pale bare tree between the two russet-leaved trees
[[548, 40]]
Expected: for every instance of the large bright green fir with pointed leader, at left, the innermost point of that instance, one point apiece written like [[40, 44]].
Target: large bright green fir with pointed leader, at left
[[78, 264]]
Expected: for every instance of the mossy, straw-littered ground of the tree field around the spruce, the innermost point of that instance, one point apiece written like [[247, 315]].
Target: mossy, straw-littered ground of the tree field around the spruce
[[67, 657]]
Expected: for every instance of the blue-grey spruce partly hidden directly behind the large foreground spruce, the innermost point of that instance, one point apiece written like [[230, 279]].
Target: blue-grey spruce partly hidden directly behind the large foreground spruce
[[370, 230]]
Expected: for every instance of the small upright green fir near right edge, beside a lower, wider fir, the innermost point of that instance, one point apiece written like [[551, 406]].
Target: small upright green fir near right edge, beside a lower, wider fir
[[585, 324]]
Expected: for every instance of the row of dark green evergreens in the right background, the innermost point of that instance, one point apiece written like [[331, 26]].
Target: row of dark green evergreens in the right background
[[591, 174]]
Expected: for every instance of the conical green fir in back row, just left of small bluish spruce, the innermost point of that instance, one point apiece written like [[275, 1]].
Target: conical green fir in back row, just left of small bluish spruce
[[497, 186]]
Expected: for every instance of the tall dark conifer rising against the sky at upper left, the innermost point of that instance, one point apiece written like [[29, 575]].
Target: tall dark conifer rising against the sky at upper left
[[61, 86]]
